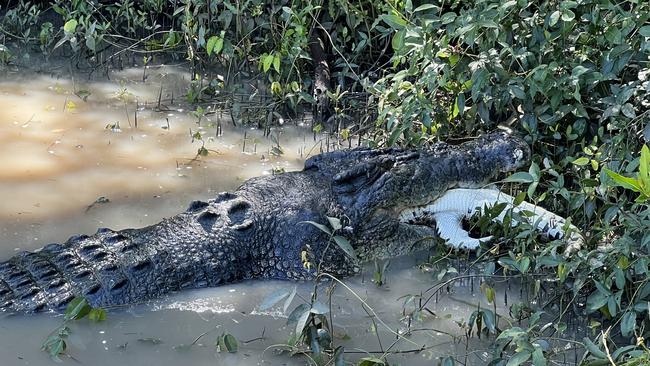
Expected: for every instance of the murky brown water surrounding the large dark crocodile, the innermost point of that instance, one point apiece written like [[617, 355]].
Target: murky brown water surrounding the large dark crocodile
[[70, 166]]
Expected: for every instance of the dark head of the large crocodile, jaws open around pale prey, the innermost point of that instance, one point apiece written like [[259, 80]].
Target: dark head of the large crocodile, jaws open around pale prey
[[376, 187]]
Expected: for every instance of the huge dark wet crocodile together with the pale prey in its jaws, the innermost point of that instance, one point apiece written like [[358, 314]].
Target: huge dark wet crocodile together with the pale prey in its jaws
[[388, 201]]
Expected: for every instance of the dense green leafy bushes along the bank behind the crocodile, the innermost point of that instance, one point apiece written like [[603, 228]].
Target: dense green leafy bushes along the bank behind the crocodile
[[571, 76]]
